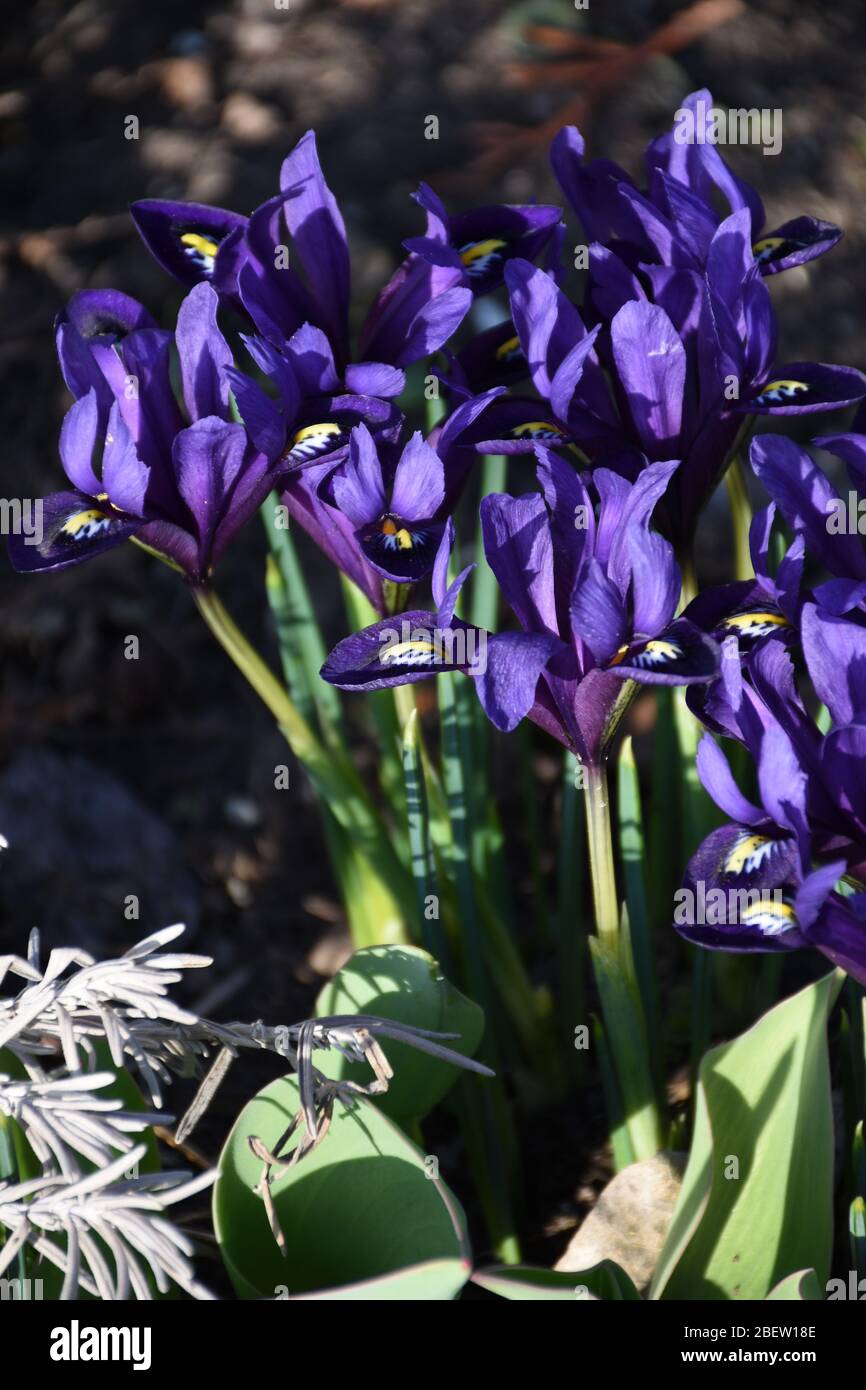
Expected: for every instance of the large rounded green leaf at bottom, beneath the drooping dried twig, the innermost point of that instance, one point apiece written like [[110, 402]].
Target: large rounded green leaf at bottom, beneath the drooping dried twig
[[361, 1216]]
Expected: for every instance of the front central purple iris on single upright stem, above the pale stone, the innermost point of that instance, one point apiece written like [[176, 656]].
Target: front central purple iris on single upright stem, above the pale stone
[[594, 597]]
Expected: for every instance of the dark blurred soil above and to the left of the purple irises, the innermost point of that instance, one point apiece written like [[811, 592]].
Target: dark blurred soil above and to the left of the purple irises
[[155, 778]]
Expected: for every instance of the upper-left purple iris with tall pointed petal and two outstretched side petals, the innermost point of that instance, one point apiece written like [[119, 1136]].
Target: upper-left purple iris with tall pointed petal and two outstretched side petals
[[414, 316]]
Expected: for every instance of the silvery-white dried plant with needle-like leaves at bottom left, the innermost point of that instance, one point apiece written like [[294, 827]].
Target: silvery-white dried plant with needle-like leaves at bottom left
[[91, 1200]]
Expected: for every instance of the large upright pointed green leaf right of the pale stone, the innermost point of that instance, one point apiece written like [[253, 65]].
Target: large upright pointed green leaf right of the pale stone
[[762, 1102]]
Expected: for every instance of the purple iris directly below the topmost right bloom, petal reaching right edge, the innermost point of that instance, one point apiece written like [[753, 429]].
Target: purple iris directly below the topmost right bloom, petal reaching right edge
[[687, 369]]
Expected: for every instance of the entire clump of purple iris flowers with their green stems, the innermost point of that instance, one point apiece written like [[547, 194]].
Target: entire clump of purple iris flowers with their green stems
[[612, 415]]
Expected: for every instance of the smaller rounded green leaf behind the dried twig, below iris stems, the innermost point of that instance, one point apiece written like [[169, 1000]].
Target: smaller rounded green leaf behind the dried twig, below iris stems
[[402, 983]]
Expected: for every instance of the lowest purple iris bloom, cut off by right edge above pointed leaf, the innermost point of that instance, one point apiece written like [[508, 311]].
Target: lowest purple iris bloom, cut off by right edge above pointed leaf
[[779, 862]]
